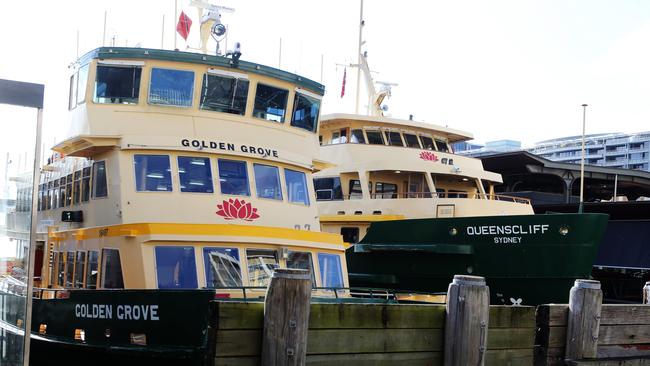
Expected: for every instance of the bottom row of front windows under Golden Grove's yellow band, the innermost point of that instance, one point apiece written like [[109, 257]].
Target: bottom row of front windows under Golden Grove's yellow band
[[176, 267]]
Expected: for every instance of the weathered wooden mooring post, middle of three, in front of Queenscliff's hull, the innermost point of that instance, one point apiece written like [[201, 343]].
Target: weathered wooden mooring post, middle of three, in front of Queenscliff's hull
[[466, 325]]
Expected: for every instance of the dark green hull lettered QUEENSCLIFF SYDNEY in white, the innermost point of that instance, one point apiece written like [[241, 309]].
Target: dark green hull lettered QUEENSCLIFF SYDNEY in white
[[526, 259]]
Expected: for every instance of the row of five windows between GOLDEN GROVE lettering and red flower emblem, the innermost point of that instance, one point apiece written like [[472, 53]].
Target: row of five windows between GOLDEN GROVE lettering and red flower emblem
[[153, 173]]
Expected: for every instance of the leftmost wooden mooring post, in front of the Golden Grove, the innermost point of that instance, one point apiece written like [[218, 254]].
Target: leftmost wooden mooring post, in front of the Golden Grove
[[286, 317]]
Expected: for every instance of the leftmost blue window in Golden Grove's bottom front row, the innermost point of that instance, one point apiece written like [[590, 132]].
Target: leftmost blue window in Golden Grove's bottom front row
[[176, 267]]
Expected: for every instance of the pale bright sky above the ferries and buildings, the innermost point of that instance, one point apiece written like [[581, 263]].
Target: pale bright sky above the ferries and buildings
[[500, 69]]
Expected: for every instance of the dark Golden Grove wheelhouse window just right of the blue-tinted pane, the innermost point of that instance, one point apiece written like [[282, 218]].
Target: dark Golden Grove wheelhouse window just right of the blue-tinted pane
[[224, 94]]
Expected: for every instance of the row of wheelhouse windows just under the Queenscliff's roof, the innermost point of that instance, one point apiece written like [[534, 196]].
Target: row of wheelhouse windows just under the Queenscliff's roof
[[387, 137]]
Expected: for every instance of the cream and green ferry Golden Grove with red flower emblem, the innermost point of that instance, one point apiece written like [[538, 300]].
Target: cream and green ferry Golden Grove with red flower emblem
[[181, 171]]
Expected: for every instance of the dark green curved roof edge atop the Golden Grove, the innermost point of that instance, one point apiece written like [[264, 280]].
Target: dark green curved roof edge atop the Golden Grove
[[199, 58]]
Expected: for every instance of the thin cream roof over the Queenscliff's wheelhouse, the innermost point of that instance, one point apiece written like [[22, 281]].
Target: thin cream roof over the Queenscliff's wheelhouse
[[452, 134]]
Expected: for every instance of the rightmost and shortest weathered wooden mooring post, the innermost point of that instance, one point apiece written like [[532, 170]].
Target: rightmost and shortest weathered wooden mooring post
[[585, 302]]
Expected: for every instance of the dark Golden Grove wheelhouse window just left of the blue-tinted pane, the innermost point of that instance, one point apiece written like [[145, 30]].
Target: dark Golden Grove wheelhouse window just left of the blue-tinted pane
[[117, 84]]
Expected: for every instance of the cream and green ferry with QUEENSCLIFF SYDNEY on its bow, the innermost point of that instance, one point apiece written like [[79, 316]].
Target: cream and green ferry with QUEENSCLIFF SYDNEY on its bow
[[416, 214]]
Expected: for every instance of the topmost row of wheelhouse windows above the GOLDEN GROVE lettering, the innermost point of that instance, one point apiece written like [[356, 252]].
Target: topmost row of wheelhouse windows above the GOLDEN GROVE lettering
[[221, 91]]
